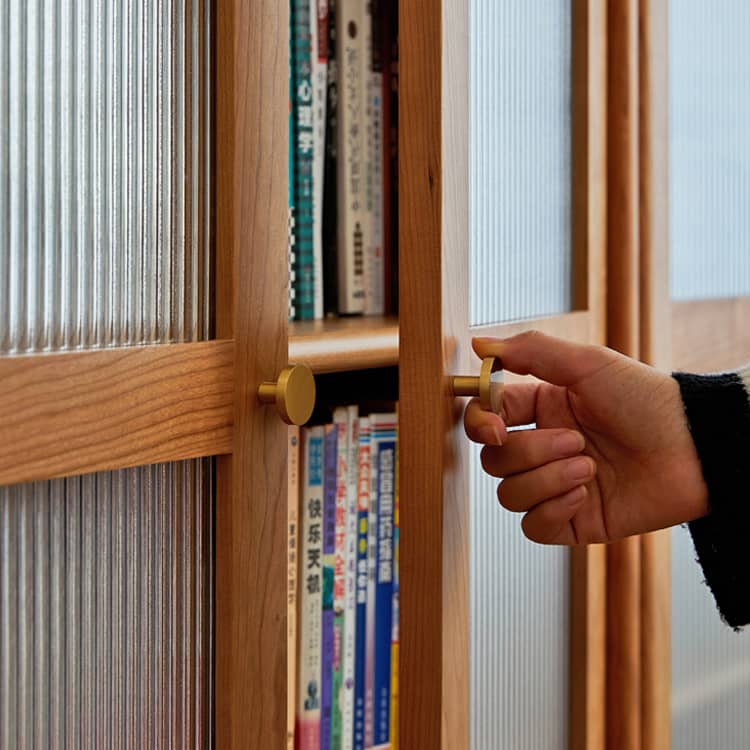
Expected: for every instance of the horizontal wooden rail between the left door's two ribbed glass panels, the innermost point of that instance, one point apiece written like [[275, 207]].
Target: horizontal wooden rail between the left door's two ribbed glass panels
[[79, 412]]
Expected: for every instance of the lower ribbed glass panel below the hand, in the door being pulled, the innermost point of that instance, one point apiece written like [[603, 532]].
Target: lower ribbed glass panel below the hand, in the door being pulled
[[520, 632]]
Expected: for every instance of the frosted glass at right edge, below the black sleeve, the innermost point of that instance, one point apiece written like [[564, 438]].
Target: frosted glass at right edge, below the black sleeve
[[710, 663]]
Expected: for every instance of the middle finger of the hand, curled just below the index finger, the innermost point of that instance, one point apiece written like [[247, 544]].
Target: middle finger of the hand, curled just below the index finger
[[529, 449]]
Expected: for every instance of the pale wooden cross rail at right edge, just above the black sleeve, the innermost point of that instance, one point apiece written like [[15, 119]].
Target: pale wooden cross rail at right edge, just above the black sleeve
[[711, 335]]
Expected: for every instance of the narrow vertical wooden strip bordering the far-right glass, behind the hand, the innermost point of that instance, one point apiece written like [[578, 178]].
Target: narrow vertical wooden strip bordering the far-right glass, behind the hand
[[655, 349]]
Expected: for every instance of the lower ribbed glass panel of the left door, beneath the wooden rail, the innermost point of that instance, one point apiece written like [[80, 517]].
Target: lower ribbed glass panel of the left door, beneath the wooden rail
[[106, 609]]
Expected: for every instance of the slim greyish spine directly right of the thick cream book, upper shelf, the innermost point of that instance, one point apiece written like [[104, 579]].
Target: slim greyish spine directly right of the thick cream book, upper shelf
[[375, 293]]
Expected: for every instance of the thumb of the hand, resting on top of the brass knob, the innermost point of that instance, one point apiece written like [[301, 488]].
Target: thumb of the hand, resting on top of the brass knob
[[547, 358]]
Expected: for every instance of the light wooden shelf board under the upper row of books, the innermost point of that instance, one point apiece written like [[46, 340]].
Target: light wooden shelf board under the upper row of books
[[342, 344]]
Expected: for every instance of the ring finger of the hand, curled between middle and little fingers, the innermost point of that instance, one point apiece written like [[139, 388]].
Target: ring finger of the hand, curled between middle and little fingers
[[521, 492]]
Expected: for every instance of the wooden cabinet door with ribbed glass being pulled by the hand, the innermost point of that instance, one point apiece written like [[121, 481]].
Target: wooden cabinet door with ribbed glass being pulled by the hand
[[502, 187]]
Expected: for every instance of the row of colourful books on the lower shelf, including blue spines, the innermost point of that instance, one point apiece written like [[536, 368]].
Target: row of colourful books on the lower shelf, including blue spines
[[343, 583]]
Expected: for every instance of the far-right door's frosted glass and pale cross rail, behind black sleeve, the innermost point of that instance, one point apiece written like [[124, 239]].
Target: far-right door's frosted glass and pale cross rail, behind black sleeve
[[710, 288]]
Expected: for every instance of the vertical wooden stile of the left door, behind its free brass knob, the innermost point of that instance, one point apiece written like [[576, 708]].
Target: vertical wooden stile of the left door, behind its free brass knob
[[252, 92]]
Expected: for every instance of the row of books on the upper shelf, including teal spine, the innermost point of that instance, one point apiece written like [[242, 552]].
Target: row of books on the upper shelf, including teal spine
[[343, 123]]
